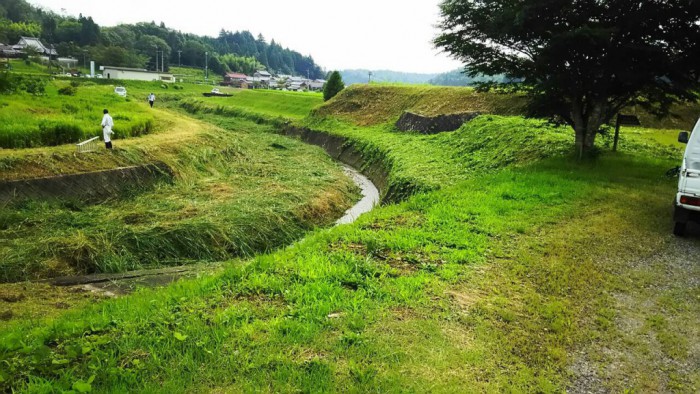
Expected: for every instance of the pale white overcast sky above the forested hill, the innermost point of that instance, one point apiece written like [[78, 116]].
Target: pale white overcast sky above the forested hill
[[371, 34]]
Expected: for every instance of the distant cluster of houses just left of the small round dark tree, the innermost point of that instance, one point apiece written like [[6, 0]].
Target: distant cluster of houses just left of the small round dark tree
[[263, 79]]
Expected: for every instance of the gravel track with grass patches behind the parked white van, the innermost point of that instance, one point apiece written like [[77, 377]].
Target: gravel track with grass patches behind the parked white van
[[653, 344]]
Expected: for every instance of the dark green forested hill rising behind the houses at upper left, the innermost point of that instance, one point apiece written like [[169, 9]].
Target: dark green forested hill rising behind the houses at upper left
[[135, 45]]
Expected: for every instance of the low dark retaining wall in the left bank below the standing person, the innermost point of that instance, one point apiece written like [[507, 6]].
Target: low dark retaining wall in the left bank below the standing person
[[86, 186]]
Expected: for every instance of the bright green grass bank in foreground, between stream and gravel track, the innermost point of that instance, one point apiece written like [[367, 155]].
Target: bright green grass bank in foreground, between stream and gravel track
[[490, 283]]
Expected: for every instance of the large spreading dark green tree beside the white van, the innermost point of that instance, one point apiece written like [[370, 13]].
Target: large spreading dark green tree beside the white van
[[580, 61]]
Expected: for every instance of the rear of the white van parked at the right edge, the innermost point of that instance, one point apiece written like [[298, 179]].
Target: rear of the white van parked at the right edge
[[687, 206]]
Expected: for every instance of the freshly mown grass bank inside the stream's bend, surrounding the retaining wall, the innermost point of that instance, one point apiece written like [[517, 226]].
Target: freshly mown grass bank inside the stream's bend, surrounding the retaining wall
[[238, 191]]
